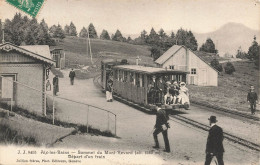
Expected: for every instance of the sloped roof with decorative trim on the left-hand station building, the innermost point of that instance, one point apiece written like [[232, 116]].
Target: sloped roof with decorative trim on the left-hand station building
[[39, 52]]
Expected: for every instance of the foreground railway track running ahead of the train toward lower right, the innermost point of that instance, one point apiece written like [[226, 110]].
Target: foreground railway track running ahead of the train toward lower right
[[227, 136]]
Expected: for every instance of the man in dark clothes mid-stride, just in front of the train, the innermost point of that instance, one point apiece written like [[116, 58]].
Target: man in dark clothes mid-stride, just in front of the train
[[161, 125]]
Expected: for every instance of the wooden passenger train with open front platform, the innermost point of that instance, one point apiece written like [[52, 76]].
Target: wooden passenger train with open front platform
[[133, 82]]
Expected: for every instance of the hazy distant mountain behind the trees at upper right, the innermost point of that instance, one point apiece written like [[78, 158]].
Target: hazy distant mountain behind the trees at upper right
[[229, 37]]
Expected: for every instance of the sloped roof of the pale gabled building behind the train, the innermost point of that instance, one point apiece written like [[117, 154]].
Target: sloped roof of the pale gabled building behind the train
[[173, 50]]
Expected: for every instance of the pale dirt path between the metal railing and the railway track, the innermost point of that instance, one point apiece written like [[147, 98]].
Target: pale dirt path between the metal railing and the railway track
[[134, 127]]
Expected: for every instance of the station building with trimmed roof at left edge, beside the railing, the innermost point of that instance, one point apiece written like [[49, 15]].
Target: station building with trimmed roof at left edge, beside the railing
[[28, 66]]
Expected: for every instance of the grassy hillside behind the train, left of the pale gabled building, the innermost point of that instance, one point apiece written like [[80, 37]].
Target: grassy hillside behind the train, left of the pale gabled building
[[76, 51]]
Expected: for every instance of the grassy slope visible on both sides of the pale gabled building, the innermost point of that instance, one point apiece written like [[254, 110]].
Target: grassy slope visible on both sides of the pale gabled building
[[230, 93]]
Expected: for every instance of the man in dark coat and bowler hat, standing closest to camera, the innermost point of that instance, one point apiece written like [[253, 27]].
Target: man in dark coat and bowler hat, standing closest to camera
[[214, 145]]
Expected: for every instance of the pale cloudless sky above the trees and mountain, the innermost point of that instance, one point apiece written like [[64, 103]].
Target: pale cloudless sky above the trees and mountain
[[133, 16]]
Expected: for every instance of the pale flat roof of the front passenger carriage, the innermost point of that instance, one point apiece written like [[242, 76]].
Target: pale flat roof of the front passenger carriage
[[148, 70]]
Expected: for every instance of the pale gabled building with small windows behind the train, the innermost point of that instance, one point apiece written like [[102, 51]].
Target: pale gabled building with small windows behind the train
[[179, 57]]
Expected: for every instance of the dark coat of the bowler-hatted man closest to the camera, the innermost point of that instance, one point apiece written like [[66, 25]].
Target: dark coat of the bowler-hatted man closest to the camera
[[215, 140]]
